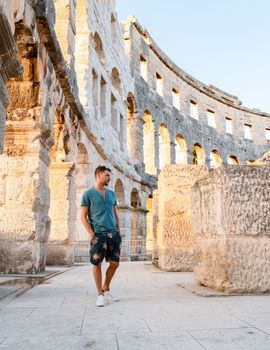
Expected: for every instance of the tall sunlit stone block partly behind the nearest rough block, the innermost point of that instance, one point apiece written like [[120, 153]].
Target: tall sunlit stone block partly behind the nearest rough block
[[175, 241]]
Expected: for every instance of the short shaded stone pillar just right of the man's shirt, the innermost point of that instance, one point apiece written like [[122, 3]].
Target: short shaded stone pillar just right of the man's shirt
[[138, 233]]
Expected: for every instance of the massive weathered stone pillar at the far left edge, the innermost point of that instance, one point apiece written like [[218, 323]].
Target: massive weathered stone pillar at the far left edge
[[24, 198]]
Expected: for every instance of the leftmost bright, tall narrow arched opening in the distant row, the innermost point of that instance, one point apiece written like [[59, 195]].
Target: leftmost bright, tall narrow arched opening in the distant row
[[149, 143]]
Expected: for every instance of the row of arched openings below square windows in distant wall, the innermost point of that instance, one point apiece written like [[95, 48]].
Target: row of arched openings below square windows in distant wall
[[158, 149]]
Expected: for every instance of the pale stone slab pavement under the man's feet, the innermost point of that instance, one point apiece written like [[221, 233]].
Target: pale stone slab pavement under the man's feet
[[154, 313]]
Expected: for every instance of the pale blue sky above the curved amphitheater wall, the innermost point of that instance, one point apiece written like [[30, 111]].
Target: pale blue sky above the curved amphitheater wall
[[225, 43]]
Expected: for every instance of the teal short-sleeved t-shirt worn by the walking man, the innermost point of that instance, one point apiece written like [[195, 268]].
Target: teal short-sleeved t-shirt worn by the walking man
[[100, 211]]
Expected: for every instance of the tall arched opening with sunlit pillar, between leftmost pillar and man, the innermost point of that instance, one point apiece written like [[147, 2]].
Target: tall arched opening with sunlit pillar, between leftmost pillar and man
[[62, 211]]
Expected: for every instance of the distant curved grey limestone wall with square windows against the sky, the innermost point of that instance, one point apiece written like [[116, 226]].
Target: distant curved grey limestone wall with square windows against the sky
[[173, 110]]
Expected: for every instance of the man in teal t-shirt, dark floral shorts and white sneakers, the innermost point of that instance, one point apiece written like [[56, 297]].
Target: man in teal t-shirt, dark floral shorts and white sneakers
[[99, 217]]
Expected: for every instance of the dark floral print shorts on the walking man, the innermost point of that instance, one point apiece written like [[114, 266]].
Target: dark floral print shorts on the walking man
[[105, 245]]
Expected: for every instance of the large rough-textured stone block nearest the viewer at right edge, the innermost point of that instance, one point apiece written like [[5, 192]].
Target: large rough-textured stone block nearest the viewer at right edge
[[231, 220]]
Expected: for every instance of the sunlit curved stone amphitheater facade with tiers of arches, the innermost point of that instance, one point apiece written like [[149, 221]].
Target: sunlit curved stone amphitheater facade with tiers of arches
[[79, 89]]
